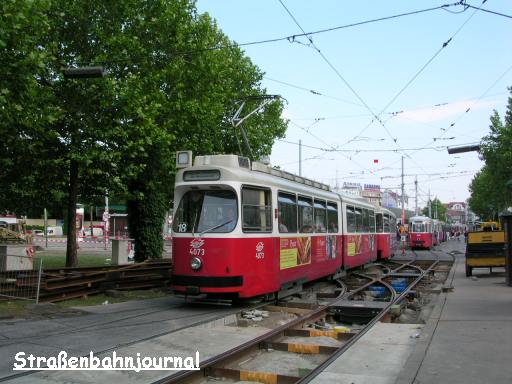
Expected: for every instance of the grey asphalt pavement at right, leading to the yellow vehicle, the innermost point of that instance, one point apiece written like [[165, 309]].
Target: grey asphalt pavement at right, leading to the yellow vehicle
[[468, 338]]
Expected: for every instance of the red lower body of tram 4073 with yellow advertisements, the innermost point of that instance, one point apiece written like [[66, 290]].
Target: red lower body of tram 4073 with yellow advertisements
[[255, 266]]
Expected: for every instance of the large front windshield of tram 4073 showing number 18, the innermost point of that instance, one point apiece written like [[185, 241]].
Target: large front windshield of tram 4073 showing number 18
[[206, 211]]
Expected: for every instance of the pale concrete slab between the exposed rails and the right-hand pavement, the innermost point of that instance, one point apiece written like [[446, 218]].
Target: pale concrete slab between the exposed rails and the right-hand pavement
[[377, 358]]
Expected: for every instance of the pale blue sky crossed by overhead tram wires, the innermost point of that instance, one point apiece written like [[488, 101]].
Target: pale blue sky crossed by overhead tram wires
[[361, 97]]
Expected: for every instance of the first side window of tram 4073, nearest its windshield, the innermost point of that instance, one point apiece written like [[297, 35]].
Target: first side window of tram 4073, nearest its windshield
[[256, 210]]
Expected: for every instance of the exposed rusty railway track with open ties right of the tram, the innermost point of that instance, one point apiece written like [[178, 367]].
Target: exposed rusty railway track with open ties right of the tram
[[301, 343]]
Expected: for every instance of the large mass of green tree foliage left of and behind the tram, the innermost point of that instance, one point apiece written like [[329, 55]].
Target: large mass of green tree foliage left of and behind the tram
[[173, 83]]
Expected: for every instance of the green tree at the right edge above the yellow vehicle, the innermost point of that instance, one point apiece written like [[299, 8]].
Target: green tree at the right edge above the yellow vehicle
[[490, 188]]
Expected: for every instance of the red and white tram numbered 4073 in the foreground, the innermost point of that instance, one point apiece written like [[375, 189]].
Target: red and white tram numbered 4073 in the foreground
[[244, 229]]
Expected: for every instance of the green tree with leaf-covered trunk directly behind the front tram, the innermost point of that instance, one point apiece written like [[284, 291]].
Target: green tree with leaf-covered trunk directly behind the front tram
[[192, 111]]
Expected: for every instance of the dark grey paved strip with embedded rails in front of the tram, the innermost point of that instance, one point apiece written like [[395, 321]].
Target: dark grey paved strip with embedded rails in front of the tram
[[108, 327]]
